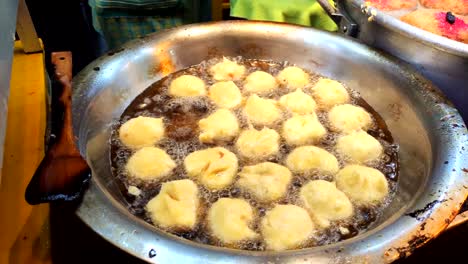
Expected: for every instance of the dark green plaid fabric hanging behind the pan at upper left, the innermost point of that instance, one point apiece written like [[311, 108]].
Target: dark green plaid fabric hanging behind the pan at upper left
[[119, 25]]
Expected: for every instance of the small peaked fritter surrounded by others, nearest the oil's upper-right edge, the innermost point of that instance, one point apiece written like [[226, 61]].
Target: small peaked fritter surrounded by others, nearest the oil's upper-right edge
[[298, 102]]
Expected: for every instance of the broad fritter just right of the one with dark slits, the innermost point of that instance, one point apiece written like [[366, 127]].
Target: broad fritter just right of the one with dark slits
[[266, 181]]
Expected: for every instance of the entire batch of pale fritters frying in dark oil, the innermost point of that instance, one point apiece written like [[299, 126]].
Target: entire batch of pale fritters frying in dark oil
[[230, 220]]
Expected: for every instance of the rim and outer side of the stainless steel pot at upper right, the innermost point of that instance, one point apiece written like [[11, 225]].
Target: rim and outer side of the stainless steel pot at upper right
[[441, 60]]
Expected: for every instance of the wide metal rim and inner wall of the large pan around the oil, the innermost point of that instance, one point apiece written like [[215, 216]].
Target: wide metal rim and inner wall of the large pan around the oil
[[430, 132]]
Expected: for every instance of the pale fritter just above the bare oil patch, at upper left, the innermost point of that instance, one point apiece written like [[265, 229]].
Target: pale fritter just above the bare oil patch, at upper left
[[187, 85]]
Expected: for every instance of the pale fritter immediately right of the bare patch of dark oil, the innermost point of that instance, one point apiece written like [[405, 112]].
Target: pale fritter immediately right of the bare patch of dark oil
[[222, 125]]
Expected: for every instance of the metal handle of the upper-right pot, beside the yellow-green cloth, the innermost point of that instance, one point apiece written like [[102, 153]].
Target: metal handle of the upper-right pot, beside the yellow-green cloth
[[345, 24]]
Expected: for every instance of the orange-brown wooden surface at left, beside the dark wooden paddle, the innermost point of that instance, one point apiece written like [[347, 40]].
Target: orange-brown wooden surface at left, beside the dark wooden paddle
[[24, 229]]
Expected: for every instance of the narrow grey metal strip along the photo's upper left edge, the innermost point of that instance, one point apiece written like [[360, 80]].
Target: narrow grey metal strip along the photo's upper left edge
[[7, 36]]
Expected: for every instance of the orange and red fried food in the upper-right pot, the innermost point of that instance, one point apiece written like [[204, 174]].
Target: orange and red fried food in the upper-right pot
[[435, 21]]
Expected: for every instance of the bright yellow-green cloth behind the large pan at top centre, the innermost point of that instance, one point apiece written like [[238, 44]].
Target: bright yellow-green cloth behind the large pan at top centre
[[302, 12]]
